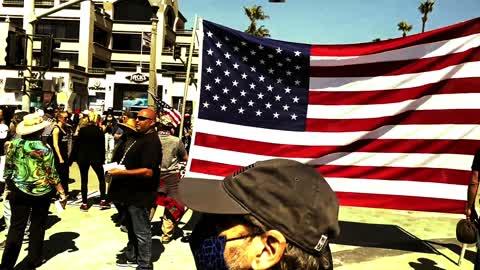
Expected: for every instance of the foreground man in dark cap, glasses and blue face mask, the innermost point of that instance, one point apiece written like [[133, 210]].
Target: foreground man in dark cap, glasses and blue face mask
[[274, 214]]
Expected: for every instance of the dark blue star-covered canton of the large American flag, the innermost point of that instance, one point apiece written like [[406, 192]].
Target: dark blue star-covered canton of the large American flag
[[253, 81]]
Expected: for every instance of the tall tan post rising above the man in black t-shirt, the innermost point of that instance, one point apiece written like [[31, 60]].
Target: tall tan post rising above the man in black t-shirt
[[152, 82]]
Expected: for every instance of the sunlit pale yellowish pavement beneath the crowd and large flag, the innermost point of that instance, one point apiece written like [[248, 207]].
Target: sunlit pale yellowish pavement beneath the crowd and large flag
[[370, 239]]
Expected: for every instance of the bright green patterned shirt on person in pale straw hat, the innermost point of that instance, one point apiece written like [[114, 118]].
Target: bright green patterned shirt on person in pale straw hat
[[29, 165]]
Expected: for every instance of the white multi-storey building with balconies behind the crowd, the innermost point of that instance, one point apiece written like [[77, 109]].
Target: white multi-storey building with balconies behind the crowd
[[103, 62]]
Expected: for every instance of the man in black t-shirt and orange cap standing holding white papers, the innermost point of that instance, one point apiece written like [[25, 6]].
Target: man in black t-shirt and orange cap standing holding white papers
[[135, 188]]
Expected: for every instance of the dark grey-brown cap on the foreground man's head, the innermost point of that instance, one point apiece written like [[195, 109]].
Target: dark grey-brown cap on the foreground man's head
[[283, 194]]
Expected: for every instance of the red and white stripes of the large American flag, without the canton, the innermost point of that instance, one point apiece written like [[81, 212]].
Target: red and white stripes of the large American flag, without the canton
[[391, 124]]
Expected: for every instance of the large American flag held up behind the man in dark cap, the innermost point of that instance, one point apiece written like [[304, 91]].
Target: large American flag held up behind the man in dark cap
[[390, 124]]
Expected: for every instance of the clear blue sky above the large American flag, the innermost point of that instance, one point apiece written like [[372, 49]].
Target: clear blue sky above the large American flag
[[332, 22]]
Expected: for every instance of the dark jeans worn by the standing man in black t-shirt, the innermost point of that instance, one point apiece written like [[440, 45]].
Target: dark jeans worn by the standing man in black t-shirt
[[139, 245]]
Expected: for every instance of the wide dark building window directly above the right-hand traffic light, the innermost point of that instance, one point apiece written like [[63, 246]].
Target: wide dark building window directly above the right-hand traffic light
[[59, 29]]
